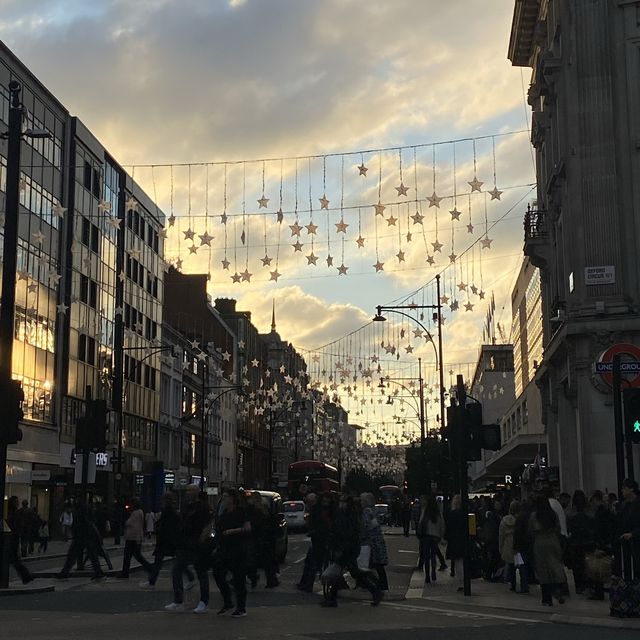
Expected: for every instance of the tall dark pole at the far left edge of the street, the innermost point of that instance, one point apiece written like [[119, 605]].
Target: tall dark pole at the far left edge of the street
[[8, 299]]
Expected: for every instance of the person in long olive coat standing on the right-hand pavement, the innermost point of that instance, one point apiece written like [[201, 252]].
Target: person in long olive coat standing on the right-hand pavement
[[547, 551]]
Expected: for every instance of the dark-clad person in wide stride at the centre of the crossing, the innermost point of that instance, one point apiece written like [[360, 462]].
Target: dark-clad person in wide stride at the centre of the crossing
[[344, 548]]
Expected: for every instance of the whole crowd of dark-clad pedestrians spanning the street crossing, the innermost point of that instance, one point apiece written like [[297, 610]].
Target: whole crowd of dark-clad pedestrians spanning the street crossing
[[519, 542]]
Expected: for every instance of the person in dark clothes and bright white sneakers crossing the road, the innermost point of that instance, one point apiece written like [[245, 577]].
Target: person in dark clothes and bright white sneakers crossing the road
[[190, 550]]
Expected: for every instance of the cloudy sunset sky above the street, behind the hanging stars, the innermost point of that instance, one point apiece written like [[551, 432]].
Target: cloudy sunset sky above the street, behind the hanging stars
[[173, 82]]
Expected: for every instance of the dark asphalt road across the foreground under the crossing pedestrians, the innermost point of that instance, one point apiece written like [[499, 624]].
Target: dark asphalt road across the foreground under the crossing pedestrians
[[119, 609]]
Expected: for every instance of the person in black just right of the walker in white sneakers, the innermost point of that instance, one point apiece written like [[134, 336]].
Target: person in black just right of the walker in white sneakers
[[233, 529]]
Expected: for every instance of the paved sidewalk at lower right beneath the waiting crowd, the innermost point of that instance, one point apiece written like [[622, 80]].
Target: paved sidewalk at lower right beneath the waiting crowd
[[576, 609]]
